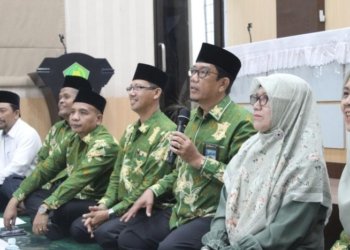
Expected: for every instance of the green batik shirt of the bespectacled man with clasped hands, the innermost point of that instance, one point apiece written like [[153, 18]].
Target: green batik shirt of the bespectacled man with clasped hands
[[140, 163]]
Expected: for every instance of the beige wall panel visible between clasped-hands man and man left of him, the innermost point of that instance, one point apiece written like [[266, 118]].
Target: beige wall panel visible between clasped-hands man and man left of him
[[118, 115]]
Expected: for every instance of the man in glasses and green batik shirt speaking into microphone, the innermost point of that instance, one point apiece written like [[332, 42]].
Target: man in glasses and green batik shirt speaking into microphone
[[216, 130]]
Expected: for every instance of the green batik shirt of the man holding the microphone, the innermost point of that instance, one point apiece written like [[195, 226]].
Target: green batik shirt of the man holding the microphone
[[218, 136]]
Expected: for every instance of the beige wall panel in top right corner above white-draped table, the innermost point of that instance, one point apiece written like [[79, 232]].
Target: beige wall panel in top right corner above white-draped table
[[337, 14]]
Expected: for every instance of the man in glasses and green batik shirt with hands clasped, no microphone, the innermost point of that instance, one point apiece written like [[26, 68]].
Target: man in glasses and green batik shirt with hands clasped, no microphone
[[140, 162]]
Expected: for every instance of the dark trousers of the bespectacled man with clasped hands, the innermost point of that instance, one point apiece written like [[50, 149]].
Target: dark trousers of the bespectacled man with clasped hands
[[106, 234]]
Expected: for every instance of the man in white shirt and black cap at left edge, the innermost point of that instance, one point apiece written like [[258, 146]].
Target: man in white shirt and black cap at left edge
[[19, 144]]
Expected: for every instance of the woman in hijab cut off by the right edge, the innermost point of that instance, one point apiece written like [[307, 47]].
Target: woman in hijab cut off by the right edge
[[344, 183]]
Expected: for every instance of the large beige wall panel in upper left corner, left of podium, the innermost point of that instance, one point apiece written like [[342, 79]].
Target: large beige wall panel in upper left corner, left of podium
[[29, 33]]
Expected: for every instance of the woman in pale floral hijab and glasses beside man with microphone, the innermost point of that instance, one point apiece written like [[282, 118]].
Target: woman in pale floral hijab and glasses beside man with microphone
[[276, 193]]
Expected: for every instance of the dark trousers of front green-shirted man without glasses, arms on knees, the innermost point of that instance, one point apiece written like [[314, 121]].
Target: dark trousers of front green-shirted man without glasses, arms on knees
[[63, 217]]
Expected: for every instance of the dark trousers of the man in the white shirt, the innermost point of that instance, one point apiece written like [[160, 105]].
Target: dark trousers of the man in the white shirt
[[7, 188]]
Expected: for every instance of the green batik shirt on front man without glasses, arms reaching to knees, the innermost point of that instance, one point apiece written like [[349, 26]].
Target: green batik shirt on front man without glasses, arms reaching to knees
[[89, 162]]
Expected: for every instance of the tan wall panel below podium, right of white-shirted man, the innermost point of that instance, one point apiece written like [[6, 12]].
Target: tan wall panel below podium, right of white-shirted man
[[34, 111]]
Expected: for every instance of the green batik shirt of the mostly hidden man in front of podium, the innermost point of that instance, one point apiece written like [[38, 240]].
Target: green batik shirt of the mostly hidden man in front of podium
[[59, 132]]
